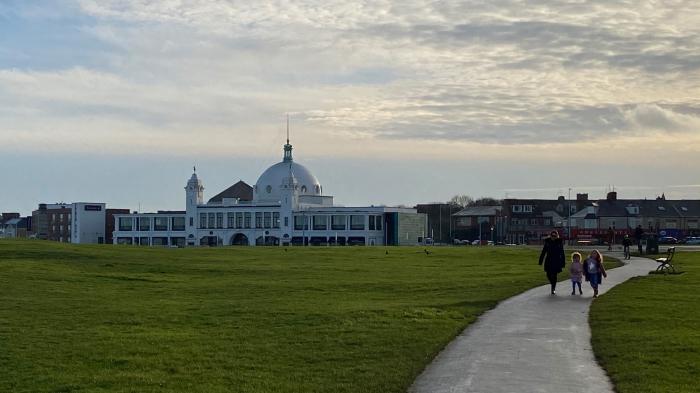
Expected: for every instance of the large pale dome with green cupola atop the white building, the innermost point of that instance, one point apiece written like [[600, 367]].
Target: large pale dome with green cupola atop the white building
[[267, 188]]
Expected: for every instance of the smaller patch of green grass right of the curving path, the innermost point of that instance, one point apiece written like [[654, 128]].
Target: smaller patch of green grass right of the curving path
[[646, 332]]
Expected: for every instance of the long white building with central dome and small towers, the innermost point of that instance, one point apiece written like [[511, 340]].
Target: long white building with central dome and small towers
[[286, 206]]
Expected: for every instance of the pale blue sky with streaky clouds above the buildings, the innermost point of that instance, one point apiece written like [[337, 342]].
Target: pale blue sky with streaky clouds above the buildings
[[390, 102]]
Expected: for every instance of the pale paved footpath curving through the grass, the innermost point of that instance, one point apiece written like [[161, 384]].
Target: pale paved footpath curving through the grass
[[533, 342]]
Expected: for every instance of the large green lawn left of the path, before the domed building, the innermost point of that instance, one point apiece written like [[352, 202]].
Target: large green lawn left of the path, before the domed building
[[127, 319]]
